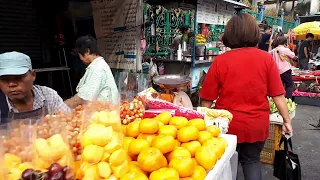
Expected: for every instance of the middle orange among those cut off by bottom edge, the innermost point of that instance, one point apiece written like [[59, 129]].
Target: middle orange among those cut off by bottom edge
[[164, 174]]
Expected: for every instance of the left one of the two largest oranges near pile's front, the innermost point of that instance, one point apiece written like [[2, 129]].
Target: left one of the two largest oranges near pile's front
[[151, 159]]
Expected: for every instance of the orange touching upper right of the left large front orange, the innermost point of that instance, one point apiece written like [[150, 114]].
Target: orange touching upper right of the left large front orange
[[164, 143]]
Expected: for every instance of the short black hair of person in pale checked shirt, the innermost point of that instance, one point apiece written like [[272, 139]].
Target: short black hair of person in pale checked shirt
[[87, 44]]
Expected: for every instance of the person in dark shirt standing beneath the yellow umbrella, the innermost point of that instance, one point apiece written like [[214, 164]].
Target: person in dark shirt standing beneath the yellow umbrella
[[304, 52]]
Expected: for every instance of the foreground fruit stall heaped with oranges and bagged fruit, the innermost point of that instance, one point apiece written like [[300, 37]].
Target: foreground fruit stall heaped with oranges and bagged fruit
[[107, 141]]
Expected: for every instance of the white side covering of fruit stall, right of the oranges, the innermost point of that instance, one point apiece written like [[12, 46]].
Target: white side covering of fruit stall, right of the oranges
[[222, 170]]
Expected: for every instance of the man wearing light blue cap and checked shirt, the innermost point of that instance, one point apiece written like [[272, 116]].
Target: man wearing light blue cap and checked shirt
[[19, 98]]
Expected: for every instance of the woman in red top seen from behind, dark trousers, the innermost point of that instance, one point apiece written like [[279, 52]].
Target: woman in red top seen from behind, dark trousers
[[240, 80]]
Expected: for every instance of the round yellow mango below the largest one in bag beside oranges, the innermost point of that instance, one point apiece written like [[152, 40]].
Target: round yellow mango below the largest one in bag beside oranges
[[92, 154]]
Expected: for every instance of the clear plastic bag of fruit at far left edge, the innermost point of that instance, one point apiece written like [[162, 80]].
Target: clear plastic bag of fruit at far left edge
[[16, 138]]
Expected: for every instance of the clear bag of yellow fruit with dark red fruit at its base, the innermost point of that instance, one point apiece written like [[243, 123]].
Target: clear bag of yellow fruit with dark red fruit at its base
[[52, 157]]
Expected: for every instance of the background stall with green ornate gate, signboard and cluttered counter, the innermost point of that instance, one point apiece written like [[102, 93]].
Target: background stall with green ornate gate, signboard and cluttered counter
[[198, 46]]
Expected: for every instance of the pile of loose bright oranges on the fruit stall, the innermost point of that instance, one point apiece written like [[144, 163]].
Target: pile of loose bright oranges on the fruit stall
[[167, 147]]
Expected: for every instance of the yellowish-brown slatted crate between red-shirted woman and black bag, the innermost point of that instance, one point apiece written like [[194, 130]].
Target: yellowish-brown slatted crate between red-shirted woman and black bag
[[271, 144]]
